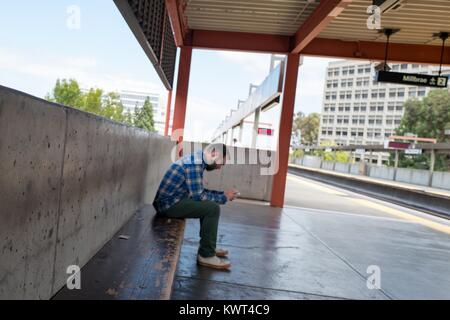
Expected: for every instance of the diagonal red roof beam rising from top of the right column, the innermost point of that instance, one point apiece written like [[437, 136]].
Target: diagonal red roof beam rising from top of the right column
[[325, 12]]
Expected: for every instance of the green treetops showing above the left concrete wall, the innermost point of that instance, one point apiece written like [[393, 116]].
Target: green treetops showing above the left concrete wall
[[68, 92]]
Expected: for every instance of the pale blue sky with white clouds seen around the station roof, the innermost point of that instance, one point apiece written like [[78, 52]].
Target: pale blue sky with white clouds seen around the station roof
[[41, 41]]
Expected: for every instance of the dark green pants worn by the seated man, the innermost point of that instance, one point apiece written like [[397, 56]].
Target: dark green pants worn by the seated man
[[208, 212]]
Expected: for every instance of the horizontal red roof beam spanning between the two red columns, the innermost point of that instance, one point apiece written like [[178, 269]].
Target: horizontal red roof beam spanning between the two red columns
[[222, 40]]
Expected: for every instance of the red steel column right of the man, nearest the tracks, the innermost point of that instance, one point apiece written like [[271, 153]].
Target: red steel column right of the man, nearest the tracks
[[284, 137]]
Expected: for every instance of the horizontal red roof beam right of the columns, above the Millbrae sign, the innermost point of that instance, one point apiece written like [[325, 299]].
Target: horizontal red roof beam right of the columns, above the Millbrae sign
[[367, 50]]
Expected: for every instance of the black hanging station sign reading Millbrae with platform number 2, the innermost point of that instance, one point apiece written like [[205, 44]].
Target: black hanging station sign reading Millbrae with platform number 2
[[412, 79]]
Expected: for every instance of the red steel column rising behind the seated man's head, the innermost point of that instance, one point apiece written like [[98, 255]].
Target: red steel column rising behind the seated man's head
[[179, 115]]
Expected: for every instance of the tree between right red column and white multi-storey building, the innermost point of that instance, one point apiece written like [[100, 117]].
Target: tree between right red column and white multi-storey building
[[305, 129]]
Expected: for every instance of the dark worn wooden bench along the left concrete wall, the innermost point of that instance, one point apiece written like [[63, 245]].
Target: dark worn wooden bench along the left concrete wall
[[141, 267]]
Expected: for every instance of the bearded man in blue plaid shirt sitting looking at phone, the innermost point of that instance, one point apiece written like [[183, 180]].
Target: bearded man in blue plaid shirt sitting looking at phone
[[181, 195]]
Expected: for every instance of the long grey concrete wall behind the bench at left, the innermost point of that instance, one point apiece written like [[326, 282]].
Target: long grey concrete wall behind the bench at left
[[68, 181]]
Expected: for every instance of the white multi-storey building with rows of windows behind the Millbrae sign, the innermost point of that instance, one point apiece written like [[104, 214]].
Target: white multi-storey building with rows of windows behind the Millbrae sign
[[359, 110]]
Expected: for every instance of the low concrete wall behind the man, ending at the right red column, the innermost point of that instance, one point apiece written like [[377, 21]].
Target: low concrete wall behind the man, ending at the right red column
[[245, 171]]
